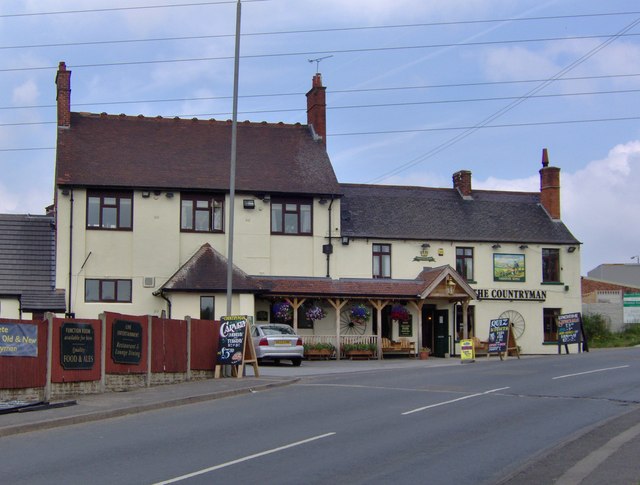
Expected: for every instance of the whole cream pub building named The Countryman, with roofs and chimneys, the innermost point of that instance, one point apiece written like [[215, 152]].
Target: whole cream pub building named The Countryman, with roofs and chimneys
[[142, 227]]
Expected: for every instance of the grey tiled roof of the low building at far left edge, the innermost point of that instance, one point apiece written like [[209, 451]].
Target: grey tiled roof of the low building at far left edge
[[27, 262]]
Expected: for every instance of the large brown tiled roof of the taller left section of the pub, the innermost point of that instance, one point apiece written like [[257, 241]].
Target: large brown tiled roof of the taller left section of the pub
[[128, 151]]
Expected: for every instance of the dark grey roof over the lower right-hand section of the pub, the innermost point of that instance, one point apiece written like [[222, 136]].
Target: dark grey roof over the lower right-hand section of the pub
[[398, 212]]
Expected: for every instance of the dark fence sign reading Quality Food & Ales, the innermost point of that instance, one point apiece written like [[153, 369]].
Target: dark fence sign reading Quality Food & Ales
[[77, 346]]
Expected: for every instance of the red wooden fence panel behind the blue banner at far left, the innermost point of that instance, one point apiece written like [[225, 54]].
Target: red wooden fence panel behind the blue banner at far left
[[26, 372]]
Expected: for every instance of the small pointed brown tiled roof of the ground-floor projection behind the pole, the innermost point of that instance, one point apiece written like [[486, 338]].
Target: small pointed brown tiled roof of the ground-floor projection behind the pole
[[207, 271]]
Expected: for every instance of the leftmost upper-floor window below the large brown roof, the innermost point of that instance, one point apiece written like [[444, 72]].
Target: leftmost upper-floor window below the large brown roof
[[110, 210]]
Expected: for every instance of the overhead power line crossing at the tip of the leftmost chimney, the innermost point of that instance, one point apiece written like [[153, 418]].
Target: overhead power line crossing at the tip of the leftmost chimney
[[315, 53]]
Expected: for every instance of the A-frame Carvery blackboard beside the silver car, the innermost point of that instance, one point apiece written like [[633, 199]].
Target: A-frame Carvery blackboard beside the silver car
[[235, 347]]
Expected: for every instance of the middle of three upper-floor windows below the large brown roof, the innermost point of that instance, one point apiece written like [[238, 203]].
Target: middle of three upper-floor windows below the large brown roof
[[201, 213]]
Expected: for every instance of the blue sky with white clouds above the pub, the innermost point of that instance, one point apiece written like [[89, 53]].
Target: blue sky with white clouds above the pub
[[416, 90]]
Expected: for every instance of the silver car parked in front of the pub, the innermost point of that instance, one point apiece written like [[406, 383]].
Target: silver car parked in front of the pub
[[276, 341]]
